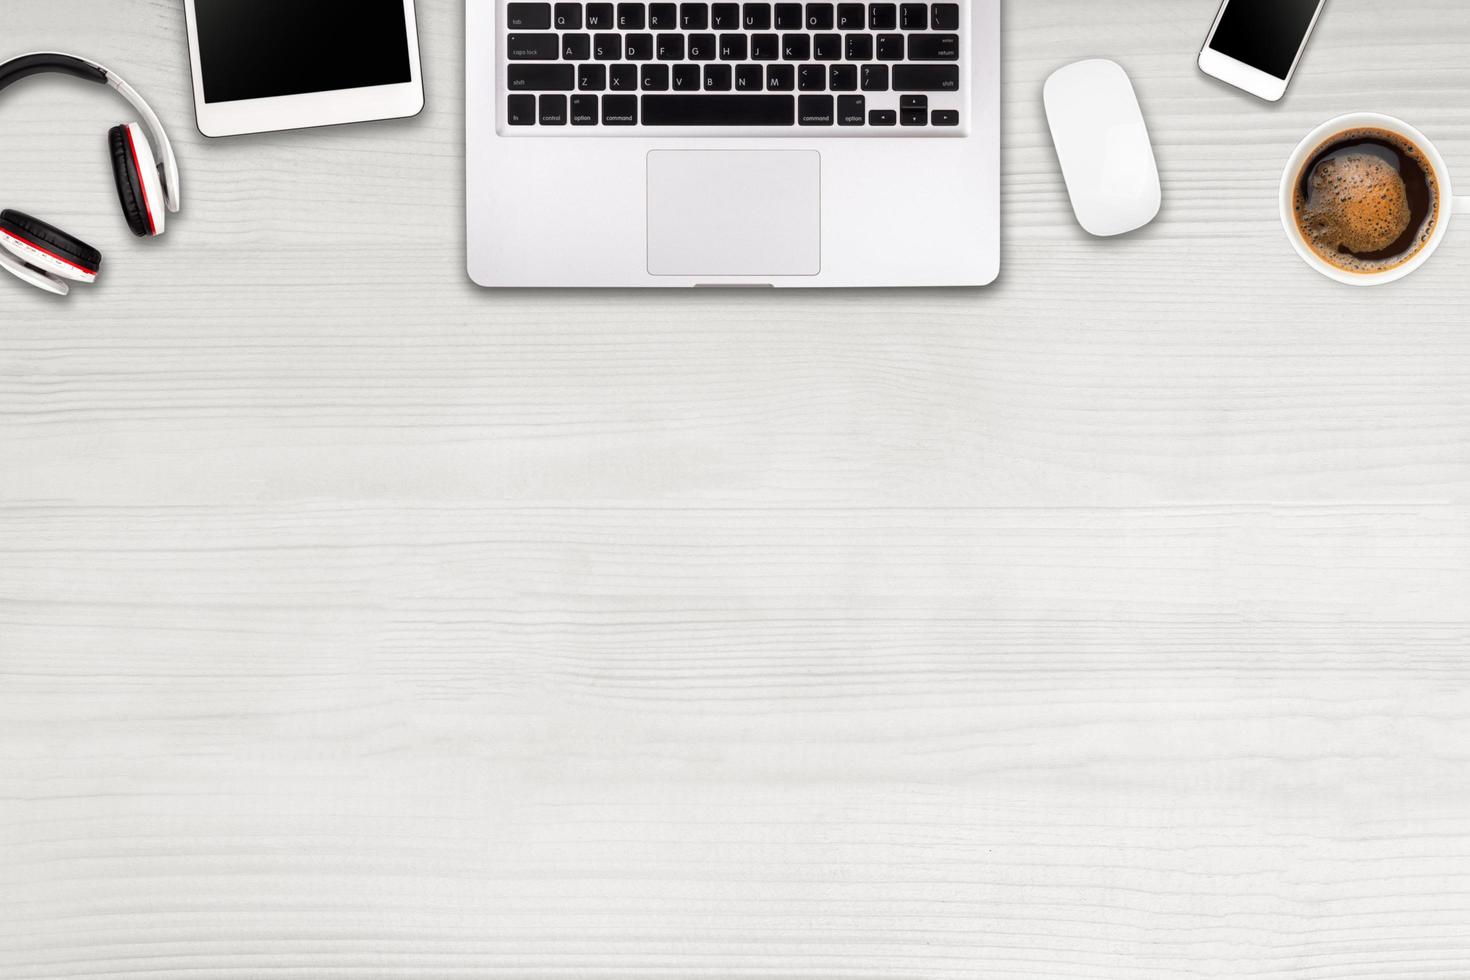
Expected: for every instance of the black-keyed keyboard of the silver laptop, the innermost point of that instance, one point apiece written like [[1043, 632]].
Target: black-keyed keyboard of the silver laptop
[[874, 68]]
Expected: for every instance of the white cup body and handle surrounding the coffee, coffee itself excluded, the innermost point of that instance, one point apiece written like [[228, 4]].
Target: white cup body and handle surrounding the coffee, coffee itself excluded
[[1449, 205]]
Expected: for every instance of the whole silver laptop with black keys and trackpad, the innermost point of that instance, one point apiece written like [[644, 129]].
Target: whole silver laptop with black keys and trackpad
[[733, 145]]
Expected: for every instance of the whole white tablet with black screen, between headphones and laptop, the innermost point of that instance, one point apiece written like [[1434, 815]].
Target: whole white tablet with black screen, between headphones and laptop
[[267, 65]]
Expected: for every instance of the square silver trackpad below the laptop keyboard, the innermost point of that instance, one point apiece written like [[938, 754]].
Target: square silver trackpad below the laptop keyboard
[[734, 212]]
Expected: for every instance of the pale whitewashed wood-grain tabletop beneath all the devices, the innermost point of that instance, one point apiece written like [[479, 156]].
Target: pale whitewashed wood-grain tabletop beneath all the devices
[[1109, 624]]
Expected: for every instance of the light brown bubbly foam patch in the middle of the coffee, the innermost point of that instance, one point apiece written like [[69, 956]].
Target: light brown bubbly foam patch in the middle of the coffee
[[1356, 202]]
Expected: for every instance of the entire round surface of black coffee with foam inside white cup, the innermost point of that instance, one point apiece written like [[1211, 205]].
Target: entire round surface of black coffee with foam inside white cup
[[1368, 201]]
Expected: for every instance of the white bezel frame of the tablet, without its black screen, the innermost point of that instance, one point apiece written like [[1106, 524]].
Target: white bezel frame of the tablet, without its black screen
[[311, 109]]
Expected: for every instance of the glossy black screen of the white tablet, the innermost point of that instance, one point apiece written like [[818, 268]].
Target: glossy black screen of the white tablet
[[265, 49]]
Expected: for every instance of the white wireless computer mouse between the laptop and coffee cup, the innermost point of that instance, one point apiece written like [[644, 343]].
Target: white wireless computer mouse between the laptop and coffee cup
[[1103, 146]]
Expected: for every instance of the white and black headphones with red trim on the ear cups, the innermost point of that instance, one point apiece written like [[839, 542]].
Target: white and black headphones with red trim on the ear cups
[[148, 190]]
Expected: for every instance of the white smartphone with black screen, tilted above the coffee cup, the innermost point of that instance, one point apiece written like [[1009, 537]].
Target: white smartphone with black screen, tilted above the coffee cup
[[1256, 45]]
